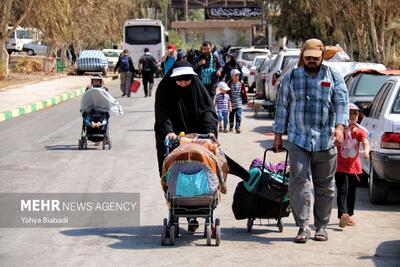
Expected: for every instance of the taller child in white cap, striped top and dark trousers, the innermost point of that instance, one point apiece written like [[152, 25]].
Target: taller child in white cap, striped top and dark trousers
[[236, 93]]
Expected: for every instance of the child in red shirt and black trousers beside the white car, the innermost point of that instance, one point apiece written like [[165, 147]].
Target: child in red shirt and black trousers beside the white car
[[349, 166]]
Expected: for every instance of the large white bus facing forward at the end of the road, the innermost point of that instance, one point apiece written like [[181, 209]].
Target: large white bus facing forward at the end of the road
[[142, 33]]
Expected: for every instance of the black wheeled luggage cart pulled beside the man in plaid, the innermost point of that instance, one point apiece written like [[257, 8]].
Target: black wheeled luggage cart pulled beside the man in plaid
[[264, 195]]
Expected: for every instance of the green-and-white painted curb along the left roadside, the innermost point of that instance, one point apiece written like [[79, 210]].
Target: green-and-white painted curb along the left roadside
[[52, 101]]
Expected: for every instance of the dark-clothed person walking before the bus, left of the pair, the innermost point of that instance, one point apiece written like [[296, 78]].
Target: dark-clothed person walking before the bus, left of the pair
[[127, 70]]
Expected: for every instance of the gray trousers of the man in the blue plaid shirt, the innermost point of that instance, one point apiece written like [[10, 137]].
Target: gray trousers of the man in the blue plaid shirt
[[306, 168]]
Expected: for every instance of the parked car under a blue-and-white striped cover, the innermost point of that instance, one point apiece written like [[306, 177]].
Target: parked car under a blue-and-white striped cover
[[92, 61]]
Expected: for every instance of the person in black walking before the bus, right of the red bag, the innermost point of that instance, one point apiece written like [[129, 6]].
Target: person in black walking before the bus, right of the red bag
[[147, 66]]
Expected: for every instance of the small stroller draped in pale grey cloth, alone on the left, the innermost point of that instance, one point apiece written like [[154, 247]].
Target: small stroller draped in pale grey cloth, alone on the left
[[96, 104]]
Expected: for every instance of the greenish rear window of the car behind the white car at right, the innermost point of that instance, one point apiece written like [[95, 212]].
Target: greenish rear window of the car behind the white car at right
[[369, 84]]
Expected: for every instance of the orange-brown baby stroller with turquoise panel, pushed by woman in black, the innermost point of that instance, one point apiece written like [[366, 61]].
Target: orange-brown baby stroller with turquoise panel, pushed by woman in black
[[193, 174]]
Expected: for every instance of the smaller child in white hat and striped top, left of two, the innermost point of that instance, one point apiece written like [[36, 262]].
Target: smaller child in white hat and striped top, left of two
[[223, 104]]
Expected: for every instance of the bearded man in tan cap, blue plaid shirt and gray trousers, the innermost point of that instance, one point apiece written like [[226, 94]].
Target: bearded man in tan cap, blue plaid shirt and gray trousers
[[312, 107]]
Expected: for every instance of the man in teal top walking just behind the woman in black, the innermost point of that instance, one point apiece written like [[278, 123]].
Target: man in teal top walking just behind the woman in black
[[206, 65]]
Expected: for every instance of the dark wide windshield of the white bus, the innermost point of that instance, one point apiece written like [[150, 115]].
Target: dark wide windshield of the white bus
[[142, 35]]
